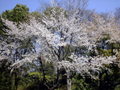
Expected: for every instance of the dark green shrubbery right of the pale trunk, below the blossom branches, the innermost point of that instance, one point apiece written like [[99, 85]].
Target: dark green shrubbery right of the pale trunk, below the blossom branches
[[108, 80]]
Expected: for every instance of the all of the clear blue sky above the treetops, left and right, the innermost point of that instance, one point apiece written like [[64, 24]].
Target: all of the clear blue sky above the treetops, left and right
[[98, 5]]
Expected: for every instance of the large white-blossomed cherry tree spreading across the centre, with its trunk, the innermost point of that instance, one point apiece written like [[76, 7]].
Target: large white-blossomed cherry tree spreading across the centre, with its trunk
[[57, 35]]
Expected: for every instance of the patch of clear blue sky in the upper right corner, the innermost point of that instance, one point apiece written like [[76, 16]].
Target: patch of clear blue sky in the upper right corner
[[103, 5]]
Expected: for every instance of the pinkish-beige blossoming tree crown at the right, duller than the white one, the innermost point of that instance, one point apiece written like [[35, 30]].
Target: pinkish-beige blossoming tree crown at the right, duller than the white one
[[101, 27]]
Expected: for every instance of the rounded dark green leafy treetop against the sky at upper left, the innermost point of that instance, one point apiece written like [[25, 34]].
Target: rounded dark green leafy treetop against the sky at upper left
[[20, 13]]
